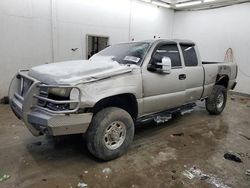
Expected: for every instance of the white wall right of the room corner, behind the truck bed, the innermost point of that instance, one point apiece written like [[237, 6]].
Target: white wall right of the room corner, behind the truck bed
[[215, 31]]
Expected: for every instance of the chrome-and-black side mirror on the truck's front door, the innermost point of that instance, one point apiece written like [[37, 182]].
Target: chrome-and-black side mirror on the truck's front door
[[163, 67]]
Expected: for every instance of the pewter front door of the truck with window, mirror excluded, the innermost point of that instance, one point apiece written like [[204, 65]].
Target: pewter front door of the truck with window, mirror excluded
[[163, 91]]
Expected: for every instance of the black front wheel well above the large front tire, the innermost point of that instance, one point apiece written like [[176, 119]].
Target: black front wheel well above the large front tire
[[126, 102]]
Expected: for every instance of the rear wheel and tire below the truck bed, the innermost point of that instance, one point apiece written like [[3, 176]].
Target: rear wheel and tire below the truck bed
[[216, 102]]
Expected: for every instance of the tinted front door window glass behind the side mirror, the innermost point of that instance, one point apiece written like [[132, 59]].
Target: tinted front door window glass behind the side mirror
[[171, 51]]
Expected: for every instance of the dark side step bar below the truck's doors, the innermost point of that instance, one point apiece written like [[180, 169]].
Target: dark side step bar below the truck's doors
[[164, 116]]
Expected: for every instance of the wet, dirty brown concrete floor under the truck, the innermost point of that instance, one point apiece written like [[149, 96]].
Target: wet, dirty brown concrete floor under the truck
[[155, 159]]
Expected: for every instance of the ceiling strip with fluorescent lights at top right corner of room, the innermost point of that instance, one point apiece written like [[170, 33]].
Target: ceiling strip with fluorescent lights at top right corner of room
[[203, 5]]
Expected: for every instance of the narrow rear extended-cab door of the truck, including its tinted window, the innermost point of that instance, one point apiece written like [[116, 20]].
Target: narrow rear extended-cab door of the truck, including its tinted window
[[194, 72]]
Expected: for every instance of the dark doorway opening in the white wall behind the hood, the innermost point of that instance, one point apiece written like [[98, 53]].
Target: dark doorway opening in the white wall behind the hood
[[95, 44]]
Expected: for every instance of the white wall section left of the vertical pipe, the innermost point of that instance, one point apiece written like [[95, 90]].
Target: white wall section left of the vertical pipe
[[25, 37]]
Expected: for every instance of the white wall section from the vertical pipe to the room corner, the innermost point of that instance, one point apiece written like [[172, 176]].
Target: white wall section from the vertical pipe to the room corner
[[121, 20]]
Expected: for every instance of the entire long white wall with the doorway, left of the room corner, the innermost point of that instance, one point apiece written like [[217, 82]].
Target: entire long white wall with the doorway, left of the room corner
[[27, 37]]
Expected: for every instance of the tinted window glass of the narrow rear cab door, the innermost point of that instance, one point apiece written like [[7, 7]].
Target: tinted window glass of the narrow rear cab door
[[189, 55]]
